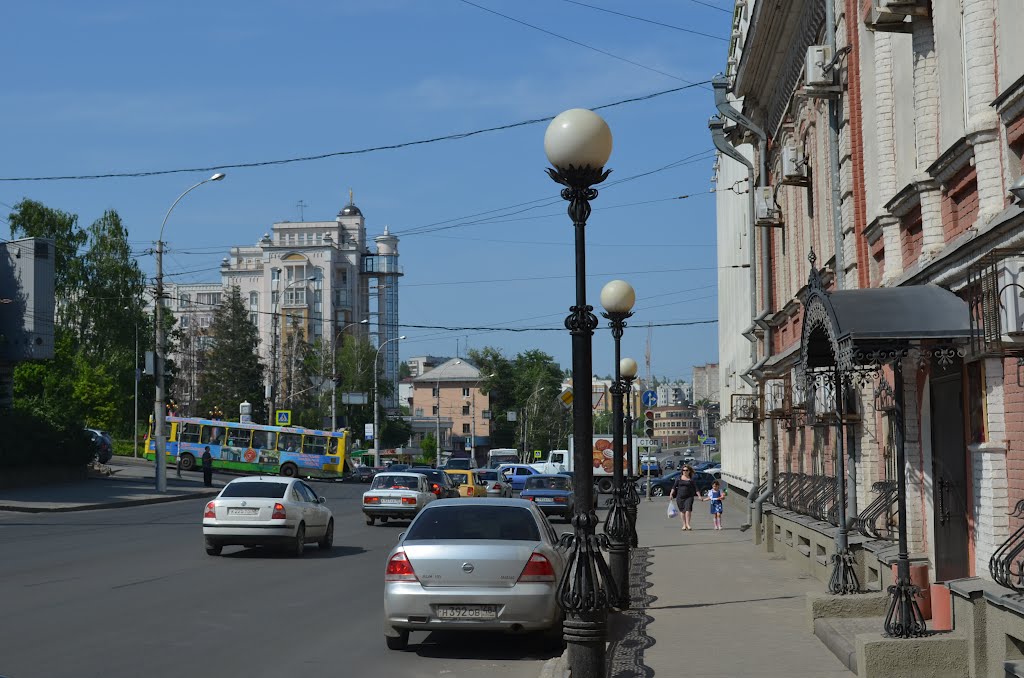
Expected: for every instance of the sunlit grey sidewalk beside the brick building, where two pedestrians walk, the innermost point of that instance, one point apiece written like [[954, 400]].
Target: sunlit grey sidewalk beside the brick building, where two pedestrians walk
[[712, 607]]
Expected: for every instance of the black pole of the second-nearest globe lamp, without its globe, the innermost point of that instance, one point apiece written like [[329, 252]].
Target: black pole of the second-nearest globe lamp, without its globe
[[617, 525]]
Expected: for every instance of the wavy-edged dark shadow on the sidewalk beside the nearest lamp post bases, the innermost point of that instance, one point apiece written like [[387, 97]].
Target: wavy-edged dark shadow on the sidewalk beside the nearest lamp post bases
[[628, 629]]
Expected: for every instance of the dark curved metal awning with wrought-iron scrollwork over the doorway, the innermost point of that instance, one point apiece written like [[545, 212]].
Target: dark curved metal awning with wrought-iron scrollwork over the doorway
[[861, 330]]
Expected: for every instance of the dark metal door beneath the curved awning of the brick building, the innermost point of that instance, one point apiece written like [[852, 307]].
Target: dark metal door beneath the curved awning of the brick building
[[950, 476]]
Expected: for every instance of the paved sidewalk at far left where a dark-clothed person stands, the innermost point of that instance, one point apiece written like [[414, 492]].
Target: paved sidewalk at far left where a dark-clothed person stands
[[133, 484]]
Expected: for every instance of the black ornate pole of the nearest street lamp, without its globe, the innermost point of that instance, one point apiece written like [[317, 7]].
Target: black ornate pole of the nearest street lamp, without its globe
[[587, 588]]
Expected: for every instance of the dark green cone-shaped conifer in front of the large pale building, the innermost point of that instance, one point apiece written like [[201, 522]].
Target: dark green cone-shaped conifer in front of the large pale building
[[234, 372]]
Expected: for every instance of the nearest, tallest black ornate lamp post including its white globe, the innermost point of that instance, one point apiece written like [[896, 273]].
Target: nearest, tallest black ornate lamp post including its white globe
[[578, 144]]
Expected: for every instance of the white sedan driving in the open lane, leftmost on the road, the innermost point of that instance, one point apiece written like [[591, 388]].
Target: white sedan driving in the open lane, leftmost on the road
[[258, 512]]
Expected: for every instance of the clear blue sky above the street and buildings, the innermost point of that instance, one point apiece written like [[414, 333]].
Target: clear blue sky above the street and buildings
[[106, 88]]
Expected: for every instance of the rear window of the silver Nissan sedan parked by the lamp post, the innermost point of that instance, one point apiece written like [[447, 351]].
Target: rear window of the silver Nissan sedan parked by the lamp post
[[496, 523]]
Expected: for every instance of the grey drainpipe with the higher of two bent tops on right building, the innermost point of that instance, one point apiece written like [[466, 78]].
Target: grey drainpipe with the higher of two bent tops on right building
[[721, 86]]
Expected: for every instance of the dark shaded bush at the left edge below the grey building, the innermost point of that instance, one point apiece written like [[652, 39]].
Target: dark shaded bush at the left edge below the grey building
[[34, 441]]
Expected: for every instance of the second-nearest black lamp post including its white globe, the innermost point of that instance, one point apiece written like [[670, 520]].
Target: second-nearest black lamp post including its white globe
[[618, 299]]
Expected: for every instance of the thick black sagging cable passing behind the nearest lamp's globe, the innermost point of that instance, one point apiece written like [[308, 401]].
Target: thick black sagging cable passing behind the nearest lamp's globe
[[336, 154]]
